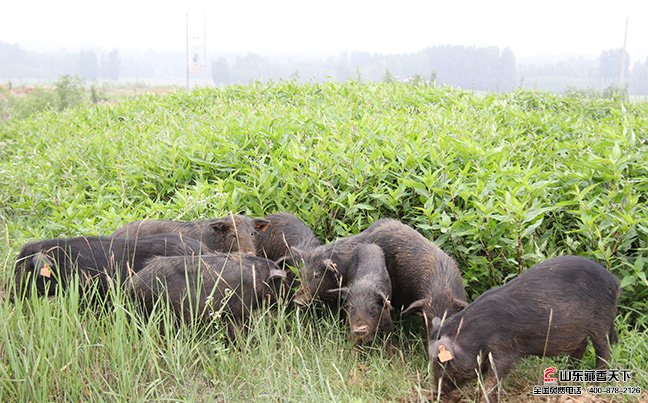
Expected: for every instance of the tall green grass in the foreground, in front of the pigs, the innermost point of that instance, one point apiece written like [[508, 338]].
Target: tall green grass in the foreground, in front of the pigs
[[52, 351]]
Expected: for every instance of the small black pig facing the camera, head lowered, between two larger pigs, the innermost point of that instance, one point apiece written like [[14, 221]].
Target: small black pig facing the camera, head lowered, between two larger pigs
[[367, 296]]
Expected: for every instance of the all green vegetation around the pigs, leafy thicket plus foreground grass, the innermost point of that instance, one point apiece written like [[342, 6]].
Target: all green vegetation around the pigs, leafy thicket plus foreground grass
[[500, 182]]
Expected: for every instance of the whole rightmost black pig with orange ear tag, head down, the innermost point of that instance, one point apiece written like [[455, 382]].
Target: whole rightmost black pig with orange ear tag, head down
[[549, 310]]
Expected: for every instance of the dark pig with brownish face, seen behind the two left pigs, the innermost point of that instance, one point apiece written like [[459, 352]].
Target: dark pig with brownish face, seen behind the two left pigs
[[235, 233]]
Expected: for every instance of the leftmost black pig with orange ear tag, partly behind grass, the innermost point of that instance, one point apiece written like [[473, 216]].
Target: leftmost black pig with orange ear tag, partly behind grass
[[97, 260]]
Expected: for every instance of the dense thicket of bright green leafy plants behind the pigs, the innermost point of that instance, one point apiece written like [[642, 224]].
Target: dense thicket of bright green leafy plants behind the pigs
[[498, 181]]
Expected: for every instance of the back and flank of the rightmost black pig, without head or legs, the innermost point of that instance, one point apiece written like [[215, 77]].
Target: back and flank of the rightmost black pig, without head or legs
[[548, 310]]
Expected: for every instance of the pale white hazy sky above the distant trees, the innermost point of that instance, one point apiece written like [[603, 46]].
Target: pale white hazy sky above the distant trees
[[529, 28]]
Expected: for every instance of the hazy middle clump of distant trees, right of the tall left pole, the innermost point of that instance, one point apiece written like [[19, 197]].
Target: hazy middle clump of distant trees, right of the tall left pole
[[485, 68]]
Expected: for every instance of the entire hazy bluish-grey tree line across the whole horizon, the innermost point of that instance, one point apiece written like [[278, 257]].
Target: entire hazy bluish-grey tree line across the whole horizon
[[475, 68]]
